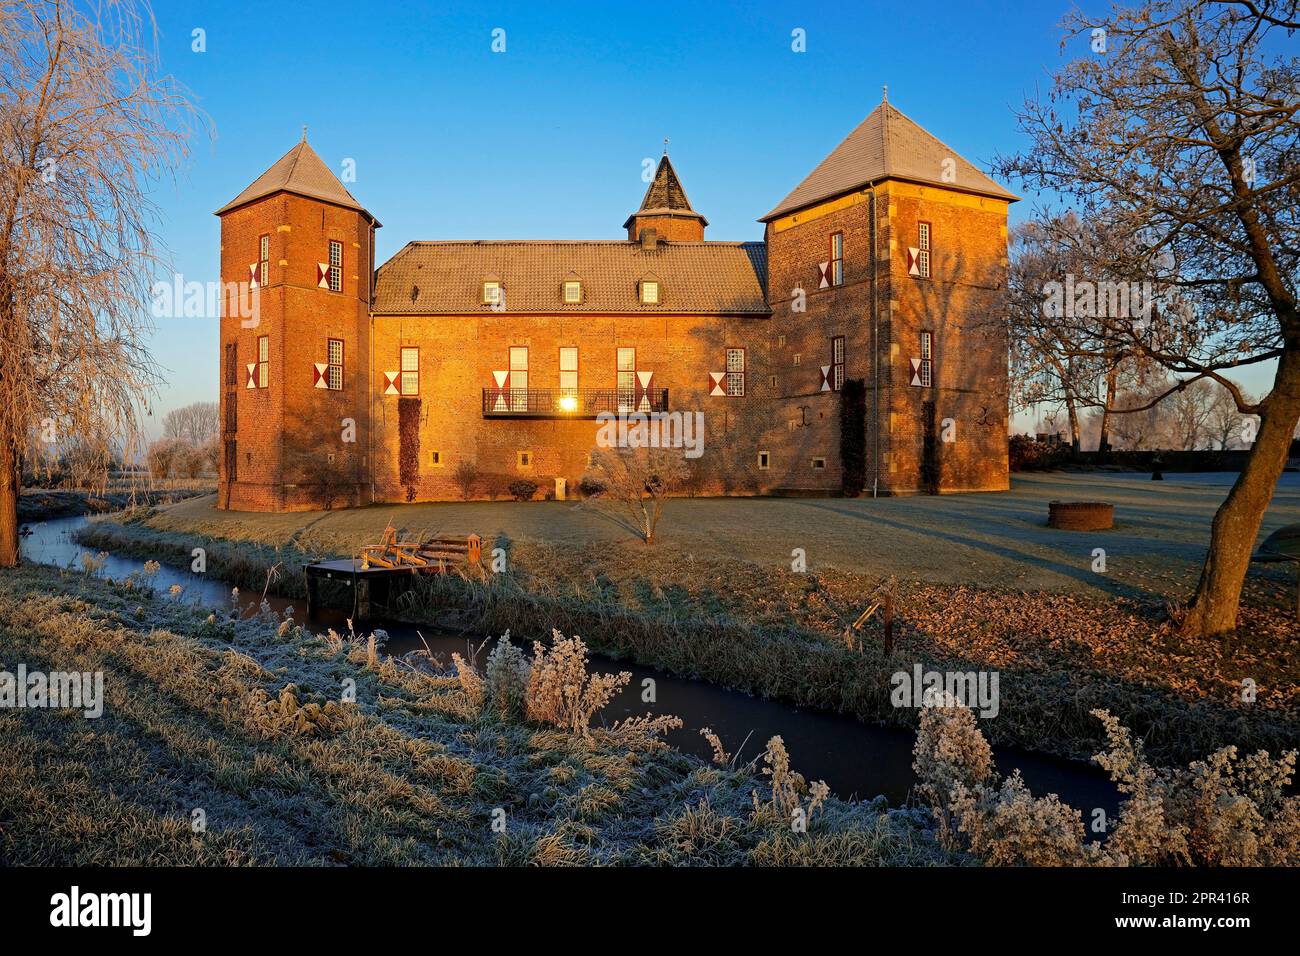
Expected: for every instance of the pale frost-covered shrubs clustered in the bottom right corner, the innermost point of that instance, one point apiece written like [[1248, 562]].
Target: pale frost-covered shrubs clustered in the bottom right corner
[[1223, 811]]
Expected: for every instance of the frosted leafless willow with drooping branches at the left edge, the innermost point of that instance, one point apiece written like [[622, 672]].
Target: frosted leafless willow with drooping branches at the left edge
[[88, 127]]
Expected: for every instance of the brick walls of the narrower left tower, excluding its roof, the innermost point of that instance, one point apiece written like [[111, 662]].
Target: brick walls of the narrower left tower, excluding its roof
[[291, 436]]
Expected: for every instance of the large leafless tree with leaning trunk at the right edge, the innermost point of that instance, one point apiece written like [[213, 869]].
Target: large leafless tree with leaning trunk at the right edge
[[1180, 118]]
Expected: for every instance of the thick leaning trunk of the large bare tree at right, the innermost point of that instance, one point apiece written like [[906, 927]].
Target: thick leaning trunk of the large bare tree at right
[[1237, 524]]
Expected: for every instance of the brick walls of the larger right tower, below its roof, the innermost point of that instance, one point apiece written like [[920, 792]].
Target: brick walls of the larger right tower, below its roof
[[960, 305]]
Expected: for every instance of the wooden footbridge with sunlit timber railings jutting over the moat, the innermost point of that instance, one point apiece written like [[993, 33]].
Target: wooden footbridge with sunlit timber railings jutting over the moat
[[370, 577]]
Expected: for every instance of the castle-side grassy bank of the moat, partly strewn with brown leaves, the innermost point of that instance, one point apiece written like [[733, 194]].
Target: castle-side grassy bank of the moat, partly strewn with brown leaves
[[782, 635]]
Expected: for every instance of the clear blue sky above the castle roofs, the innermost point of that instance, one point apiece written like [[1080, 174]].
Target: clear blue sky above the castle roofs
[[548, 140]]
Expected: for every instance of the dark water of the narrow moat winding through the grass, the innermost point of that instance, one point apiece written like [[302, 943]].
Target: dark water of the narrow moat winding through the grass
[[857, 760]]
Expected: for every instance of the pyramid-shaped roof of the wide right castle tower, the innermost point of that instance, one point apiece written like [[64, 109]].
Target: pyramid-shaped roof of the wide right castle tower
[[887, 145]]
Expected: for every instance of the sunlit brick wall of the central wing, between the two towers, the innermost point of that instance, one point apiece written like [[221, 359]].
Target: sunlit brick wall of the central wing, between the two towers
[[460, 354]]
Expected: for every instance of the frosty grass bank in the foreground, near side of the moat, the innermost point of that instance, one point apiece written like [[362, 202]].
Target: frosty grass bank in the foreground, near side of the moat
[[245, 723]]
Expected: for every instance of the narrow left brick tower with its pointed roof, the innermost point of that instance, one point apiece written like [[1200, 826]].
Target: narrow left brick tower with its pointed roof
[[296, 367]]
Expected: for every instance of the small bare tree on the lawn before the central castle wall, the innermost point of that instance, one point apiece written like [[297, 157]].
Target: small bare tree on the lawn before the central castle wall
[[638, 483]]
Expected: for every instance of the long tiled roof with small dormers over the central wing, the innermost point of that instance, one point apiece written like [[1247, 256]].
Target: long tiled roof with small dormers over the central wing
[[697, 278]]
